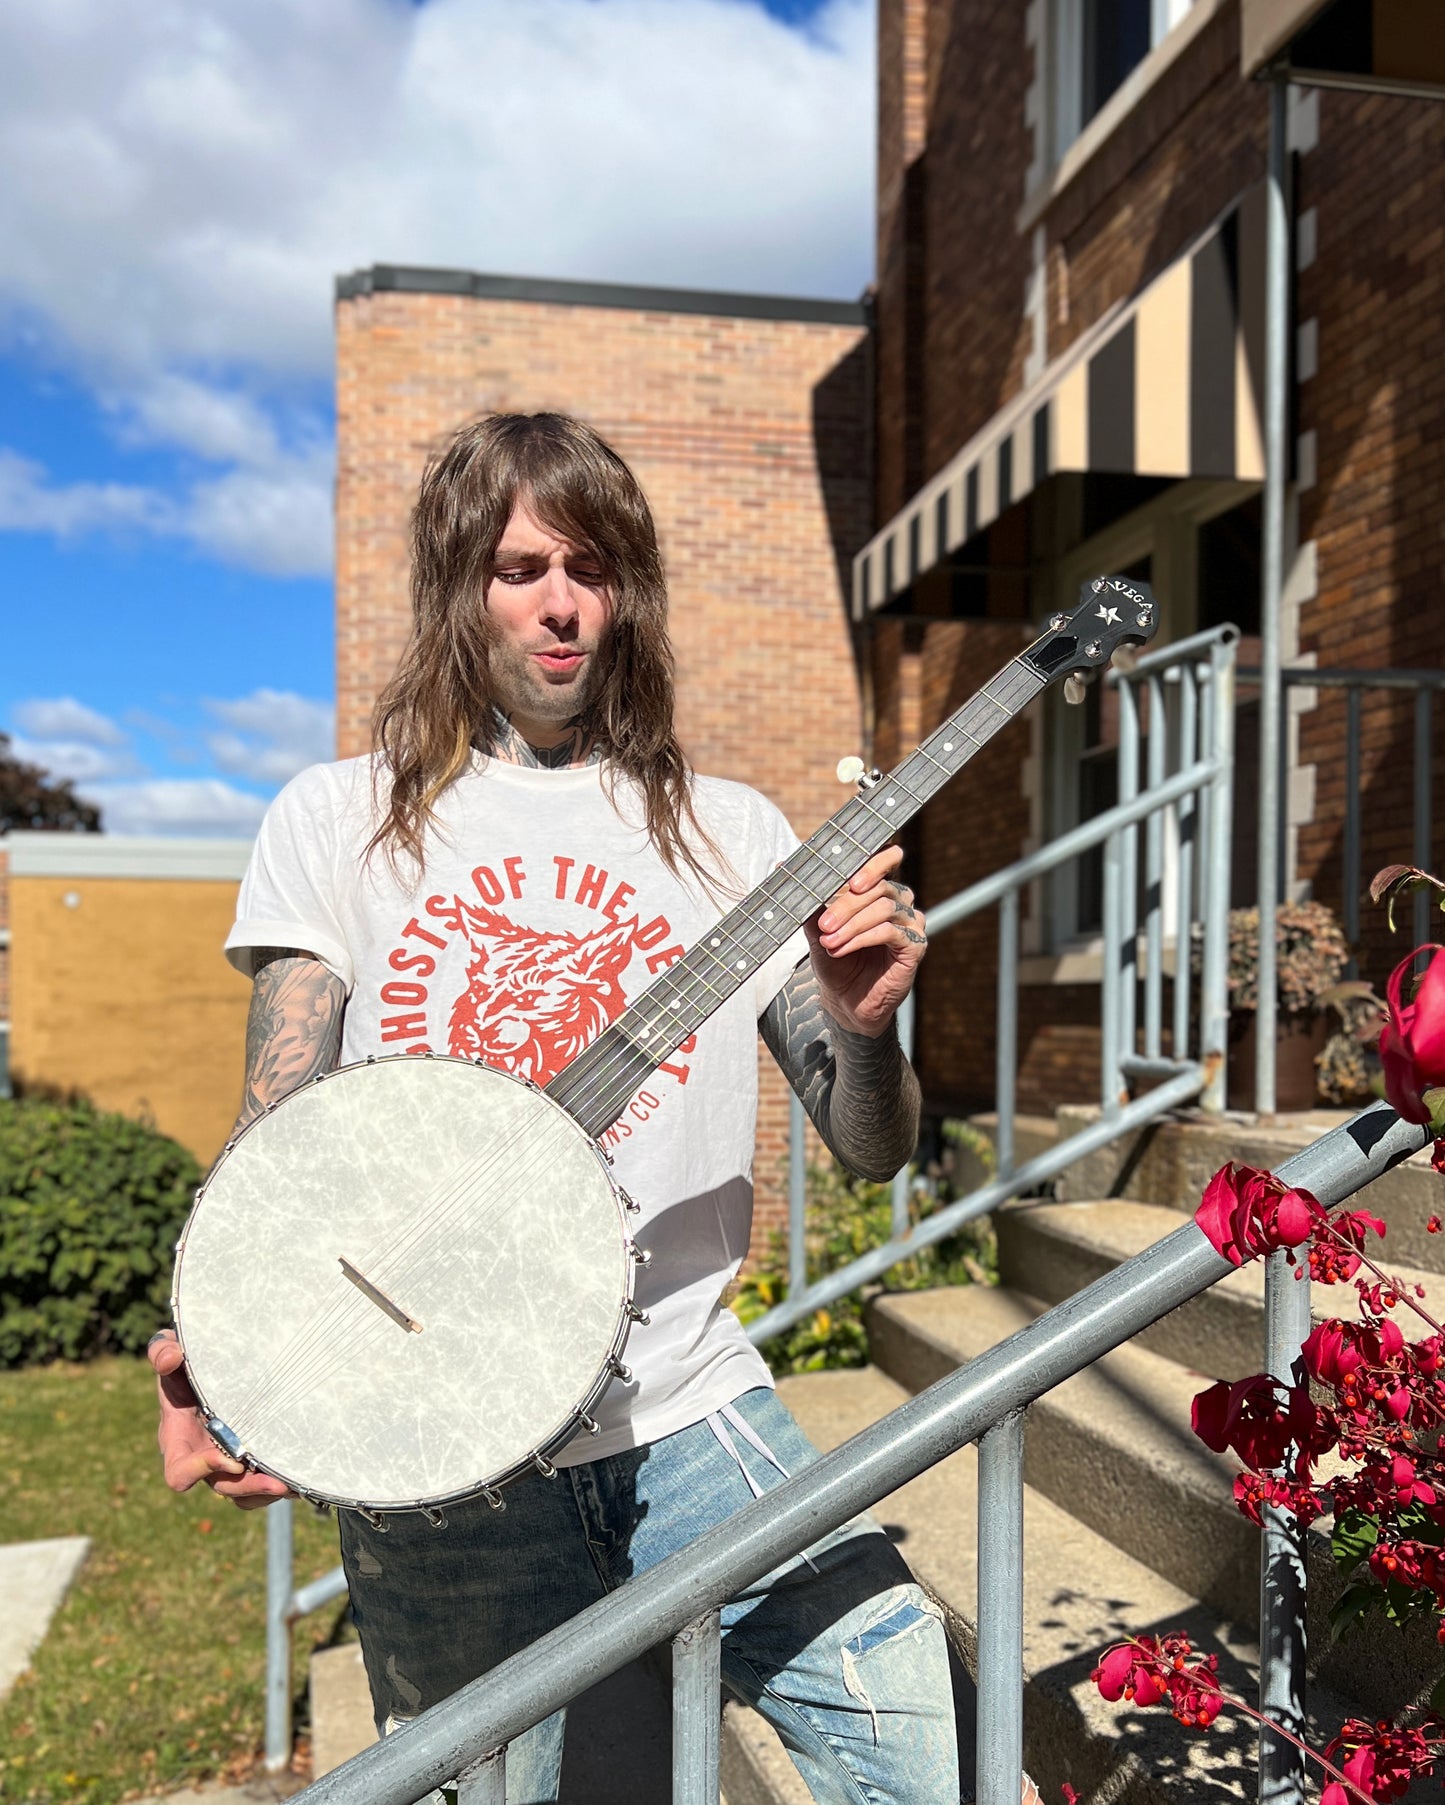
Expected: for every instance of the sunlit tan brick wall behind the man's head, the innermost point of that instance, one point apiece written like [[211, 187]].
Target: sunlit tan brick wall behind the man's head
[[750, 438]]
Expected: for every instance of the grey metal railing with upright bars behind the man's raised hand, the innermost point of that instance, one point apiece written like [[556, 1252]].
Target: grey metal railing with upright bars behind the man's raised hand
[[1199, 797]]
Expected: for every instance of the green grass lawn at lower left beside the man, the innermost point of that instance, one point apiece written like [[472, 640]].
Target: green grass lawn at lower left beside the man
[[152, 1671]]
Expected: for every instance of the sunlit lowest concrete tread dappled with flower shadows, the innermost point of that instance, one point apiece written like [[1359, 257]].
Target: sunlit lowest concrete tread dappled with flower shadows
[[1081, 1593]]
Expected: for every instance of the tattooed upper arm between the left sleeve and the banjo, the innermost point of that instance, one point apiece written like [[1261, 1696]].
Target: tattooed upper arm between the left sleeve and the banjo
[[295, 1026]]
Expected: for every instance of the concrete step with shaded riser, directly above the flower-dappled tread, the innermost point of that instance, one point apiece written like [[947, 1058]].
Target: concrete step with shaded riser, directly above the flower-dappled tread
[[1114, 1449]]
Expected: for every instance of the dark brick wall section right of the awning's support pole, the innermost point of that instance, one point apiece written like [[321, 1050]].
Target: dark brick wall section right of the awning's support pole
[[1377, 508]]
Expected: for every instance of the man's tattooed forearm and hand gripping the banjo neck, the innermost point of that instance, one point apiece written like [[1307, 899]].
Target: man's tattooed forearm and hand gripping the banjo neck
[[833, 1026]]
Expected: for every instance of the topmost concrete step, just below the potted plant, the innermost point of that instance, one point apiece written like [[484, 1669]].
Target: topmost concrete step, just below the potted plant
[[1172, 1163]]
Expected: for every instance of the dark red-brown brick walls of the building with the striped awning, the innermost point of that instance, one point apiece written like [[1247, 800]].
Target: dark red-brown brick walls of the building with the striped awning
[[1377, 409]]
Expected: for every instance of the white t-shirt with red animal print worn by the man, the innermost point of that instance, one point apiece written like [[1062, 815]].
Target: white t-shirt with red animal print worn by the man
[[542, 914]]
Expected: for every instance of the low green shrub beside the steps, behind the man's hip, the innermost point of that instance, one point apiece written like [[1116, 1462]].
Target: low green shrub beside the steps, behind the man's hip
[[849, 1217]]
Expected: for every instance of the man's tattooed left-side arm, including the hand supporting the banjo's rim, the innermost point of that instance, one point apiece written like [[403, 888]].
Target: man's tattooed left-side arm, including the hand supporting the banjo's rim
[[291, 1035]]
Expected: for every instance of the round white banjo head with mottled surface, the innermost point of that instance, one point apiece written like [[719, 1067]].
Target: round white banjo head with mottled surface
[[405, 1284]]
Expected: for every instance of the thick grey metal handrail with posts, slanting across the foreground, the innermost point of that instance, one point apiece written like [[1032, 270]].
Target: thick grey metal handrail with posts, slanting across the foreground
[[681, 1597]]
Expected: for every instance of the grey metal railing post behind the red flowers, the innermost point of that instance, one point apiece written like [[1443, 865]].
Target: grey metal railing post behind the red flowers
[[1282, 1562]]
